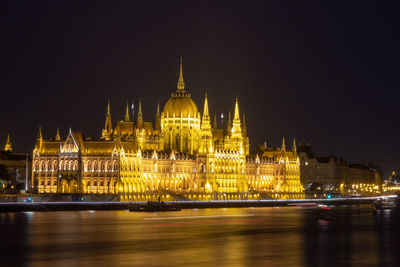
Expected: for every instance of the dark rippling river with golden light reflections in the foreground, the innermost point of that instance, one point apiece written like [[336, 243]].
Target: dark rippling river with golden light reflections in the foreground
[[239, 237]]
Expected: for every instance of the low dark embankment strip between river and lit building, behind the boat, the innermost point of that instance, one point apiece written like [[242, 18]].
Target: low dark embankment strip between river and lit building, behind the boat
[[78, 206]]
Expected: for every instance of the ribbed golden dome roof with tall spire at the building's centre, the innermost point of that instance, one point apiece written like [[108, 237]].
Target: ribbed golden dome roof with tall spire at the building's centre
[[180, 102]]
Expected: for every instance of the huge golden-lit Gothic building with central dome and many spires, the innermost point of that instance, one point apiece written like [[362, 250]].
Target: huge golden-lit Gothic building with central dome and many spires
[[182, 156]]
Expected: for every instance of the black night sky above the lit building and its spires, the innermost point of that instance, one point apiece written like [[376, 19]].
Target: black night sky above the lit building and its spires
[[324, 72]]
